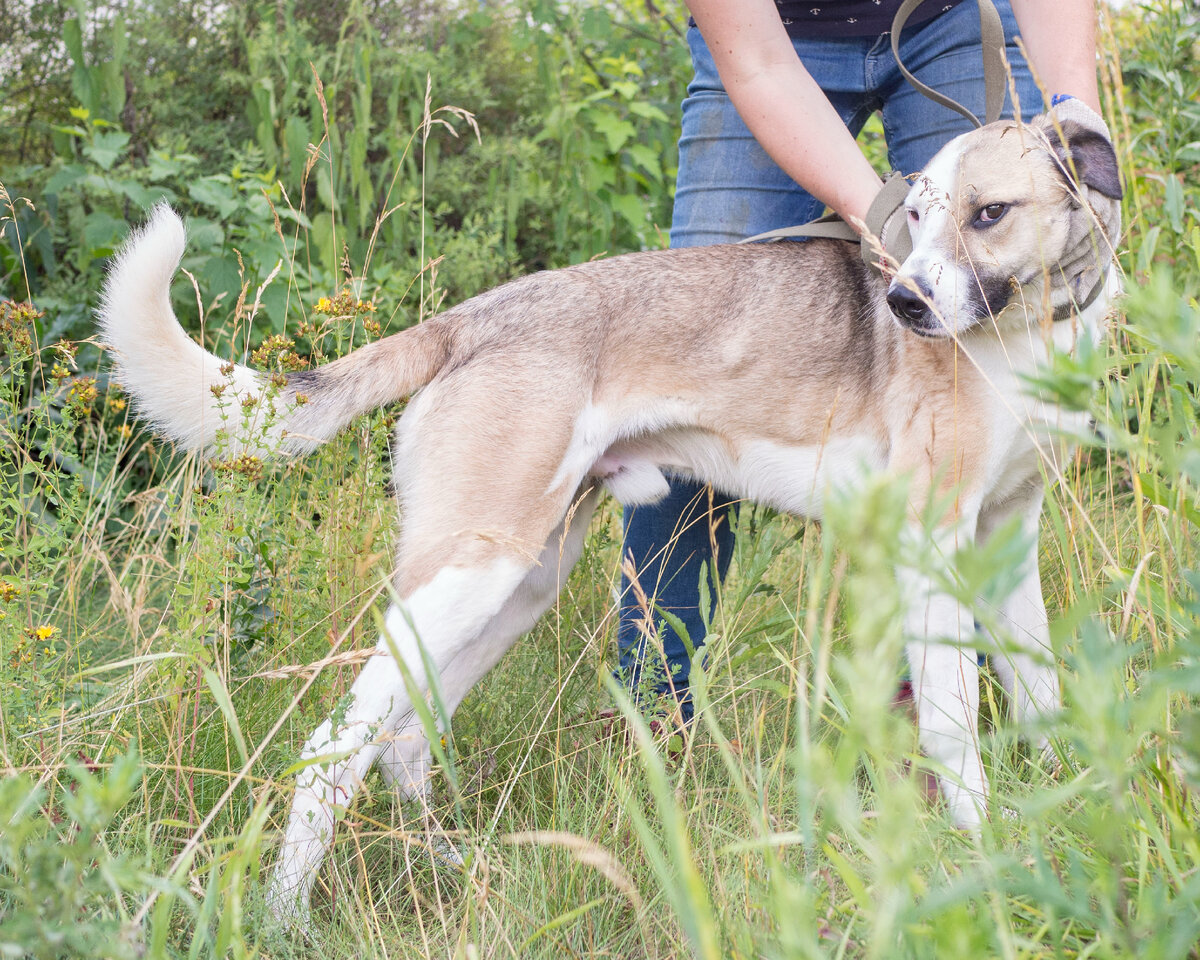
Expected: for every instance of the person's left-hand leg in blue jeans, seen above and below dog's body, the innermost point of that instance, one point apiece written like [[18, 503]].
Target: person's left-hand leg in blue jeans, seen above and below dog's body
[[728, 190]]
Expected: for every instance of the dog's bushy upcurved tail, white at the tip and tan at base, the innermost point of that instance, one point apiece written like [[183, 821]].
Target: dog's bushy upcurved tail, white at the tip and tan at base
[[193, 397]]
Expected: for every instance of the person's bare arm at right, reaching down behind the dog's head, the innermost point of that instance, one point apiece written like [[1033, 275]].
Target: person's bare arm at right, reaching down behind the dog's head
[[1060, 41]]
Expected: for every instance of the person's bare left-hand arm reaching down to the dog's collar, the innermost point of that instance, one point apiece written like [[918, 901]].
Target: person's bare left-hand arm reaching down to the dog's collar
[[783, 106]]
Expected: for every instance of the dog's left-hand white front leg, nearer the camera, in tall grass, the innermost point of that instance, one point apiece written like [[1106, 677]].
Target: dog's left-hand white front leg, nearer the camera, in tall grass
[[940, 647]]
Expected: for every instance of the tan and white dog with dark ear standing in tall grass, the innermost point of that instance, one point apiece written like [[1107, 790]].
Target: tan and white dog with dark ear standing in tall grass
[[772, 371]]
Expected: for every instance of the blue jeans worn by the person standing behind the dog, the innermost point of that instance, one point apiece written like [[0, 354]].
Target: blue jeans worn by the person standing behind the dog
[[728, 189]]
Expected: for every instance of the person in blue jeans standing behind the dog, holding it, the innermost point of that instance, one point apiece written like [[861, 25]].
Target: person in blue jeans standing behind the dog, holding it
[[779, 94]]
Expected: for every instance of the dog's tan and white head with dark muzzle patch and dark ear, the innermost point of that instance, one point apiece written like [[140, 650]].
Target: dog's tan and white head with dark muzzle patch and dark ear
[[1007, 205]]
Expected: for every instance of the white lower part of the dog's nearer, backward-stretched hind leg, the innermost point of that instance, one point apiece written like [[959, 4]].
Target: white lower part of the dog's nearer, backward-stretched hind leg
[[445, 616]]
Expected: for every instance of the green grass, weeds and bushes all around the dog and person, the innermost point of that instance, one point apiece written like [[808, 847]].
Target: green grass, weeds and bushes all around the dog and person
[[171, 631]]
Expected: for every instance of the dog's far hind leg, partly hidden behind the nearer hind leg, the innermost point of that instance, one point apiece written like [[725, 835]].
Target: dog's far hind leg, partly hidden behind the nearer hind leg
[[405, 761]]
